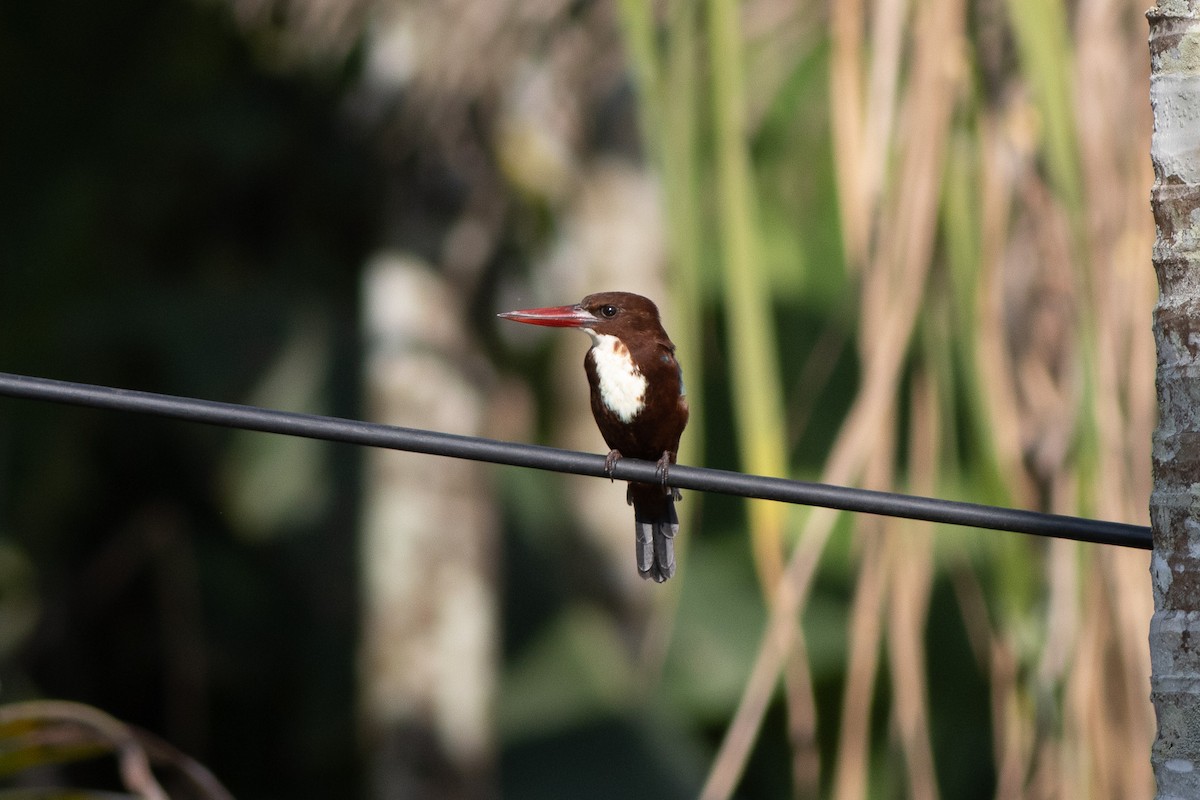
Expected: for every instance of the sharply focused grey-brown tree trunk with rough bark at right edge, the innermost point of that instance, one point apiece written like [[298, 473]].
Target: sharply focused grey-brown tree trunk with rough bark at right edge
[[1175, 502]]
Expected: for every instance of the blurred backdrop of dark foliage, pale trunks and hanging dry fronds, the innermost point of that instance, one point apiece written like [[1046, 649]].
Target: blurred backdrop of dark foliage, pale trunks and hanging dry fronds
[[901, 244]]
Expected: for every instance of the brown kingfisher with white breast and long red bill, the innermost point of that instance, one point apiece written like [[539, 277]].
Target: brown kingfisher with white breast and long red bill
[[639, 404]]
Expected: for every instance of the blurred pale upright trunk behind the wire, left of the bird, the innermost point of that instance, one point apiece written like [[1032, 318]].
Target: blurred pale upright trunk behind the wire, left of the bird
[[430, 624]]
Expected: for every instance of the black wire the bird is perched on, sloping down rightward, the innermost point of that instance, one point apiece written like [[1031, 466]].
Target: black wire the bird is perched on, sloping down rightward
[[568, 461]]
